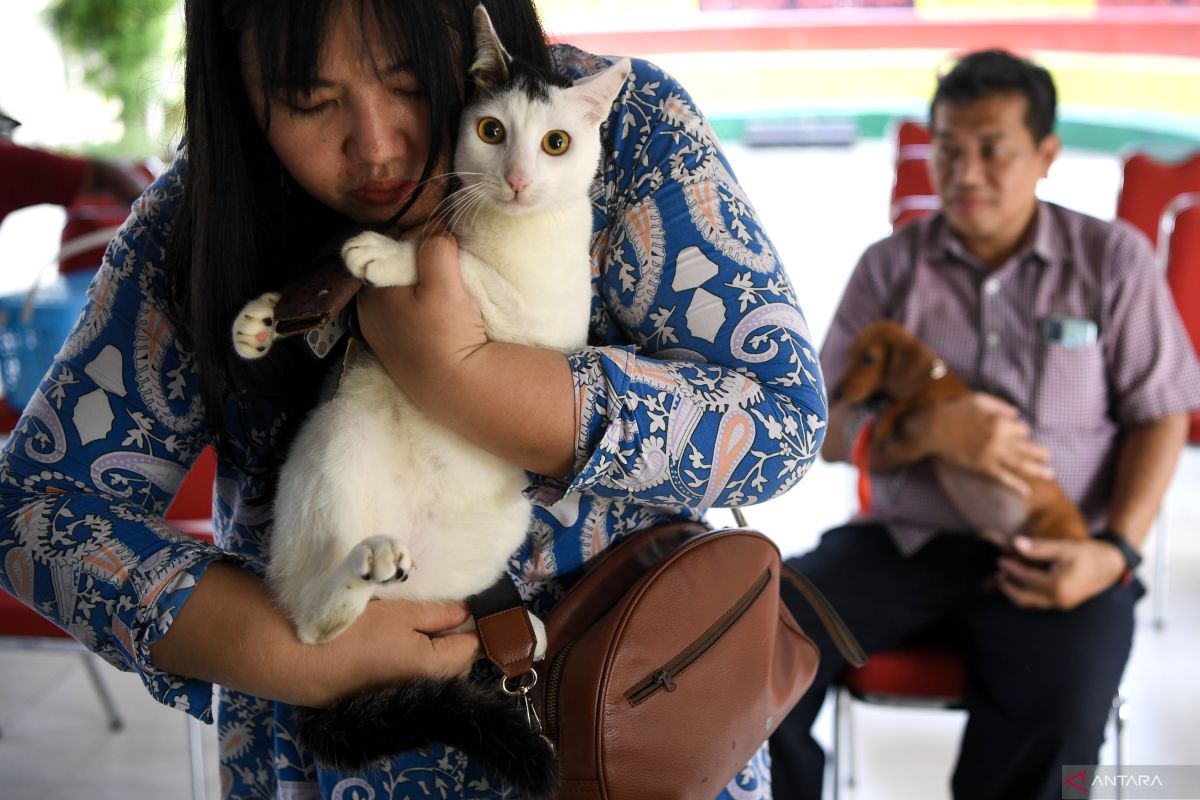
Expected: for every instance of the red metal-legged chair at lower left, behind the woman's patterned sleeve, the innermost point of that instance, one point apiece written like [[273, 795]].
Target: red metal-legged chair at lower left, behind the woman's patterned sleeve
[[23, 629]]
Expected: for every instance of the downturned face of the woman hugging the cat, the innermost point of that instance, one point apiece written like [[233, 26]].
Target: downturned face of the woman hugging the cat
[[359, 141]]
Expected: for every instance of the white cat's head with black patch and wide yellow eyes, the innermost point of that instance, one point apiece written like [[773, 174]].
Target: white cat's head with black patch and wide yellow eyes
[[527, 139]]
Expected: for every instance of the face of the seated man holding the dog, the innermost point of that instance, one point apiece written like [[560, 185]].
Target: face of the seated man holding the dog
[[986, 167]]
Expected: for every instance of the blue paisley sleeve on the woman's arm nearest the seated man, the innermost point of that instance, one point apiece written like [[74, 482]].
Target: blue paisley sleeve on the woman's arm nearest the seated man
[[705, 387]]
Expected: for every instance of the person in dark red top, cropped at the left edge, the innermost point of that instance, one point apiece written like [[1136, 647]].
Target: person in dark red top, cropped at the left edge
[[31, 177]]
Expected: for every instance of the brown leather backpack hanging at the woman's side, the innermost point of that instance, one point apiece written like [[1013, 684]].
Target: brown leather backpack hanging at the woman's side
[[670, 663]]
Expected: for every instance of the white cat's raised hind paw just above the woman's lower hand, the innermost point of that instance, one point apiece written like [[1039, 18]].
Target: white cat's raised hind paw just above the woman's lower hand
[[374, 563]]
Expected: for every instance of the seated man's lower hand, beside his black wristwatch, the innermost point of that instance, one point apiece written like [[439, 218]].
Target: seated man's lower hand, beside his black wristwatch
[[1070, 574]]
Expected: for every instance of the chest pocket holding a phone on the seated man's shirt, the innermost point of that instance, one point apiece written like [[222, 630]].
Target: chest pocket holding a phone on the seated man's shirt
[[1072, 388]]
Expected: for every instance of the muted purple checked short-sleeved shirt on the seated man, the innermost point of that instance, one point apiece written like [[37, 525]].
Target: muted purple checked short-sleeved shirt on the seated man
[[989, 328]]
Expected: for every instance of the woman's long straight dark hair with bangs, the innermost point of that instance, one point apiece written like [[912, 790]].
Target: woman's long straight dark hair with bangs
[[244, 227]]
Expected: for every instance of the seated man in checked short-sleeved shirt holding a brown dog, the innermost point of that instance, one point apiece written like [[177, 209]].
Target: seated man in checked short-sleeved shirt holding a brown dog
[[1082, 370]]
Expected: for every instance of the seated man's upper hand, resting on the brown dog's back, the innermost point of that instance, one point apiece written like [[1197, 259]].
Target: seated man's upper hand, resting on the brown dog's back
[[986, 435]]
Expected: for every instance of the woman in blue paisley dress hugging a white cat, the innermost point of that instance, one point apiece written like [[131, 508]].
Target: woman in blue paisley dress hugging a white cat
[[304, 117]]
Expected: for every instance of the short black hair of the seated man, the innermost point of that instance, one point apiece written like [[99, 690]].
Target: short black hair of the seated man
[[994, 73]]
